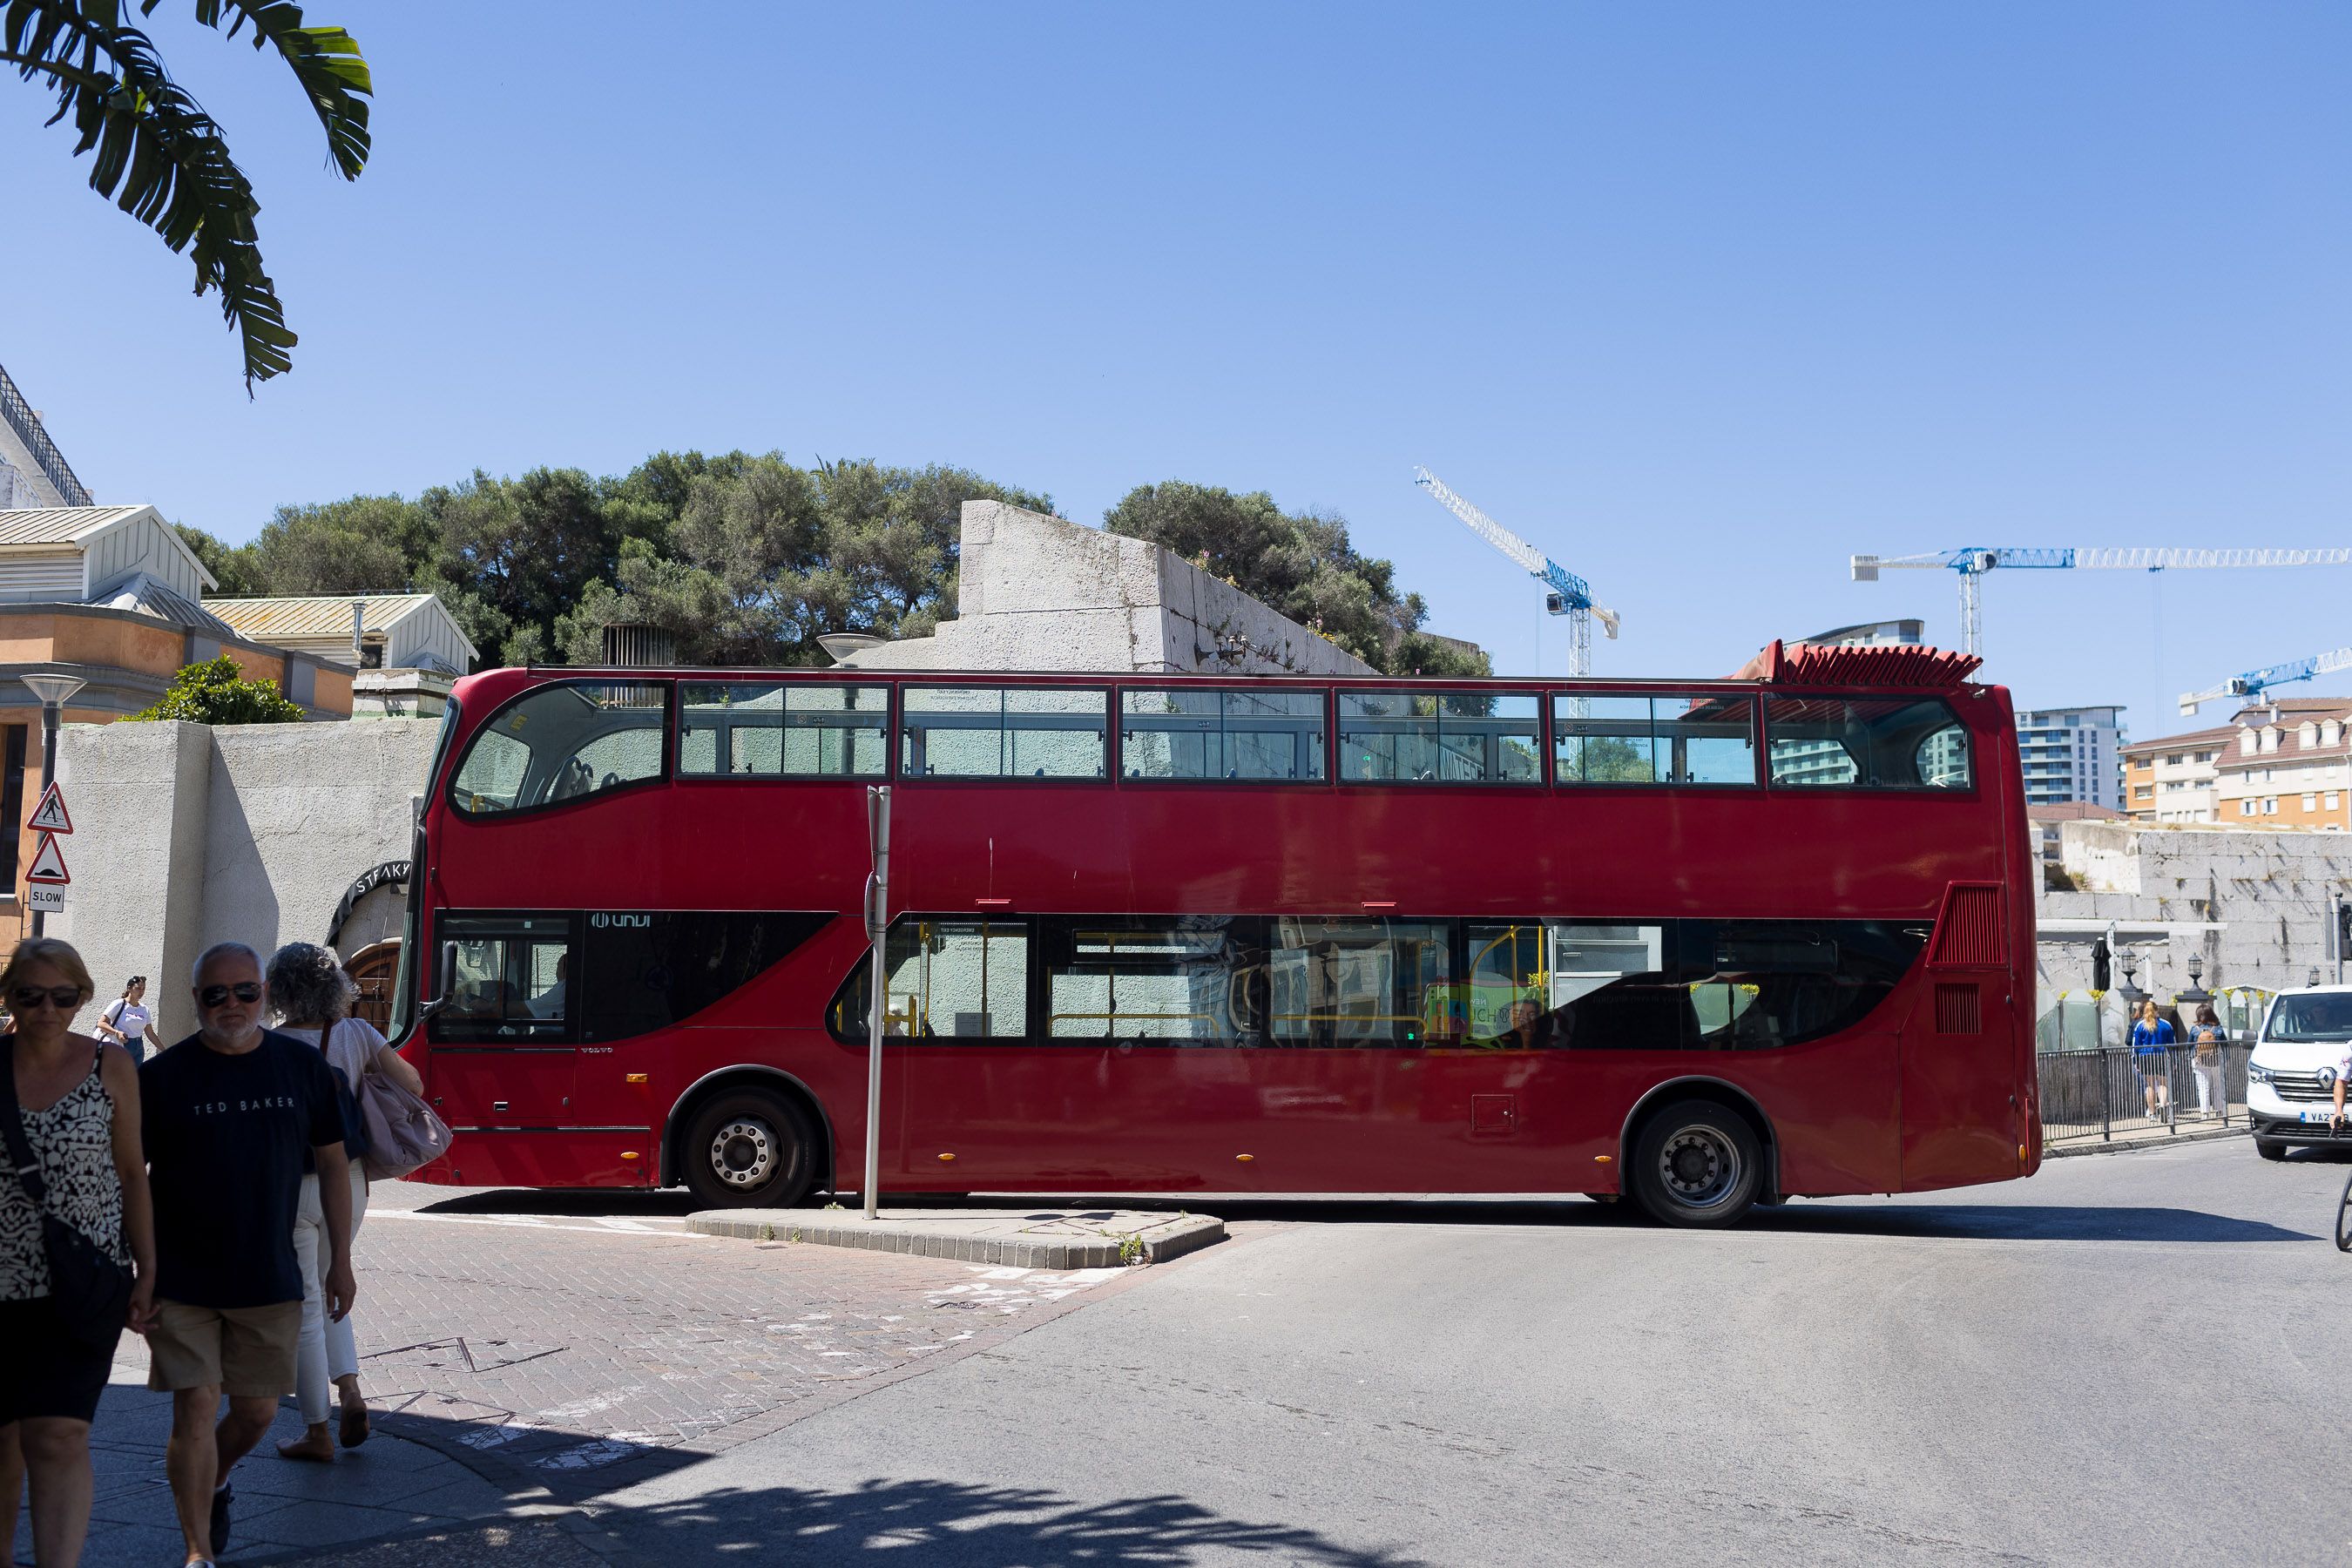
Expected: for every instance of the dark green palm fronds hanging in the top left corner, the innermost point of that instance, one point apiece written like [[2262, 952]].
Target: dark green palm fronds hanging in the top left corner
[[163, 159]]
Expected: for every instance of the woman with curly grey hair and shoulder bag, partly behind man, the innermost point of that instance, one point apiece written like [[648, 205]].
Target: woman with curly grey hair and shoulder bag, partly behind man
[[314, 998]]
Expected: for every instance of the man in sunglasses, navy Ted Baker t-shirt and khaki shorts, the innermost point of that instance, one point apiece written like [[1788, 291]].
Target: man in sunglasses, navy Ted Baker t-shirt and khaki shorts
[[229, 1115]]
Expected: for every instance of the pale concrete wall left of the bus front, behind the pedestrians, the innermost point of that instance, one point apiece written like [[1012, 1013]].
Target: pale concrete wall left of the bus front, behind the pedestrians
[[189, 836]]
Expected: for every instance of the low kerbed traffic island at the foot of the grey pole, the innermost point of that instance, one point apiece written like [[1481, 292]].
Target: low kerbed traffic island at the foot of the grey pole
[[1161, 1238]]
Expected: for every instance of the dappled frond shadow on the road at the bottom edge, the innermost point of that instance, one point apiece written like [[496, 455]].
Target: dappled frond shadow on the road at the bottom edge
[[970, 1527]]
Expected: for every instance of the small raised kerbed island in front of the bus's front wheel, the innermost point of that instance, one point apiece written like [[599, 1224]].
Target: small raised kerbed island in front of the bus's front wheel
[[1005, 1238]]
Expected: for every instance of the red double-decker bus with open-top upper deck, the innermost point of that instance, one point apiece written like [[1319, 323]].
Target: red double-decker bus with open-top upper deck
[[1704, 944]]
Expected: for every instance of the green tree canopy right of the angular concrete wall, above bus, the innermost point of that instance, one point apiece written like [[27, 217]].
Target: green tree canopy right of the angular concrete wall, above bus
[[1299, 563]]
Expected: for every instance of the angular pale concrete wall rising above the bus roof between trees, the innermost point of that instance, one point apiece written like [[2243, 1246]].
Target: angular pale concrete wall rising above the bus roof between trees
[[1043, 594]]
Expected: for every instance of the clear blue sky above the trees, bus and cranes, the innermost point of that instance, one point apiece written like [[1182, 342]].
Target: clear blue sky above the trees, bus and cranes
[[1702, 300]]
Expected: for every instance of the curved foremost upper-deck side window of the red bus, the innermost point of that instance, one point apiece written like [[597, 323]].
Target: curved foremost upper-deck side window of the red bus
[[563, 742]]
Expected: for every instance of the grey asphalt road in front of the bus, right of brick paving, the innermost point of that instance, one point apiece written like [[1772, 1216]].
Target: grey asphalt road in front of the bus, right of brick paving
[[2130, 1358]]
